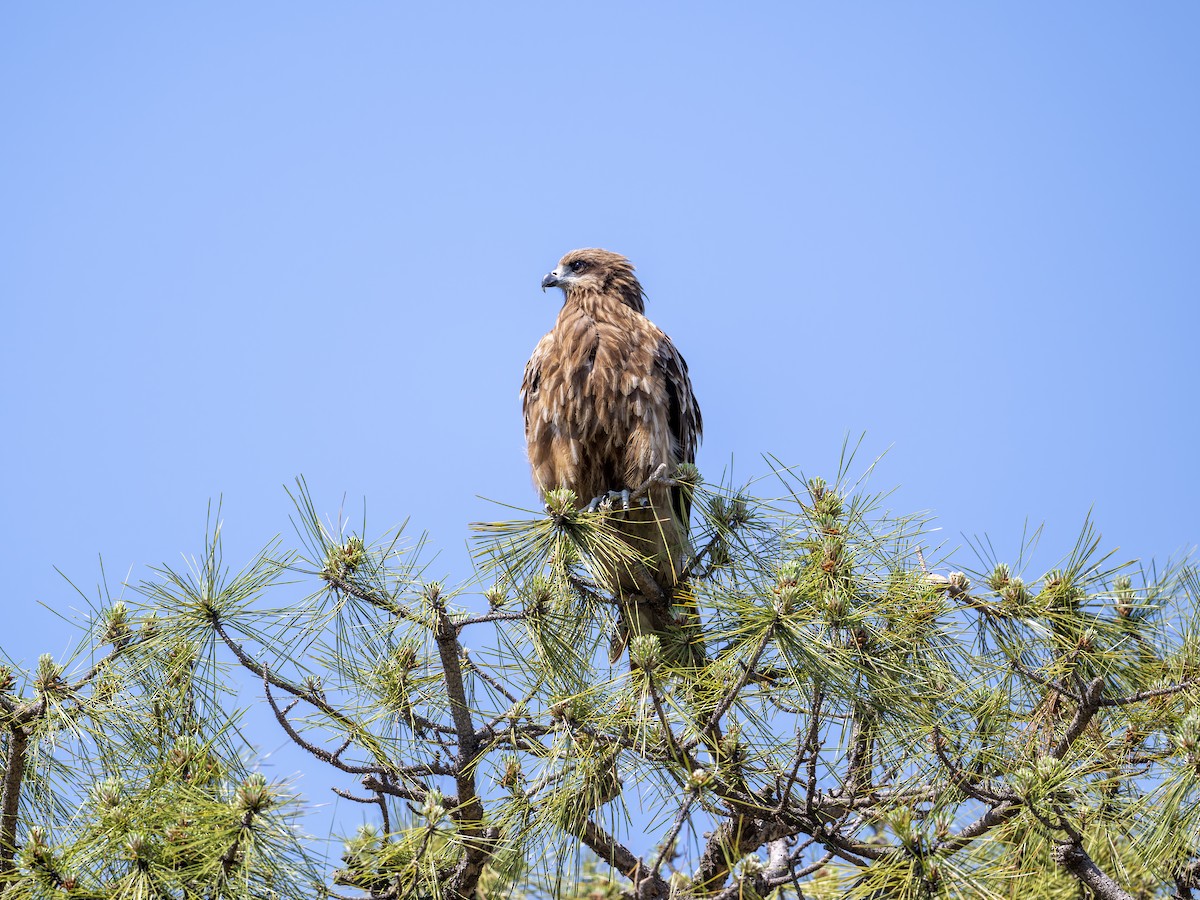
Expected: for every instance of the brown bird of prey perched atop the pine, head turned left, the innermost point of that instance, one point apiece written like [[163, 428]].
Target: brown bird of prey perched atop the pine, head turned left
[[608, 403]]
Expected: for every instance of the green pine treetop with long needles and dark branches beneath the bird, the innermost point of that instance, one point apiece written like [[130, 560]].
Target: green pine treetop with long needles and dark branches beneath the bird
[[844, 715]]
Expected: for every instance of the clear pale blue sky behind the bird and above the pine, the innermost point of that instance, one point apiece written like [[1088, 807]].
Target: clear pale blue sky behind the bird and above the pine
[[244, 243]]
